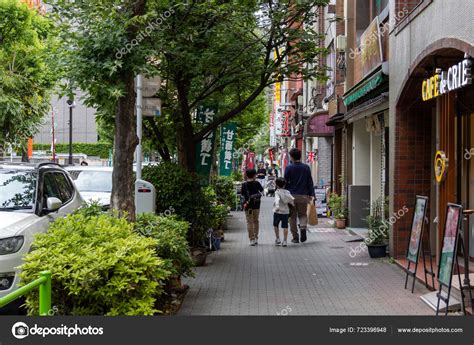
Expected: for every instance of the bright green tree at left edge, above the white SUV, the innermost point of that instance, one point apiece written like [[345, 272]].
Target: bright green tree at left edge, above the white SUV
[[26, 78]]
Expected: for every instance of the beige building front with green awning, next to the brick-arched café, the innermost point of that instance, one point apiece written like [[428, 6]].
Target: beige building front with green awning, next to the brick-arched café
[[361, 119]]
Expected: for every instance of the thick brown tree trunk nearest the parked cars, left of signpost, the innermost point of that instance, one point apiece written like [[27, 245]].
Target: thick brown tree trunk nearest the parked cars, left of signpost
[[125, 142]]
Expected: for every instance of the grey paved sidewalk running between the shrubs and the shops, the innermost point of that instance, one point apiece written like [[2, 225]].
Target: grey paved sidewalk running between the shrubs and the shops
[[315, 278]]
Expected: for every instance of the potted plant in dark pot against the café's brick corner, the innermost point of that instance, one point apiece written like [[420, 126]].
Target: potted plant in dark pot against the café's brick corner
[[377, 240]]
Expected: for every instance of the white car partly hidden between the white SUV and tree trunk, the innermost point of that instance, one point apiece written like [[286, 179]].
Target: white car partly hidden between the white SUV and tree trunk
[[94, 183]]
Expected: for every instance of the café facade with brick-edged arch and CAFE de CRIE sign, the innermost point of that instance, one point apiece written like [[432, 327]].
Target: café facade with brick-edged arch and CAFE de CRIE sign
[[431, 108]]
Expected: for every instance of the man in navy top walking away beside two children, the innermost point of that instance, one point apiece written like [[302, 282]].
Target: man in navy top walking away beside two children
[[300, 184]]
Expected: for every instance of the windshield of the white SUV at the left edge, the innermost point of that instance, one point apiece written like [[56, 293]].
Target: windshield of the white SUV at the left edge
[[17, 190]]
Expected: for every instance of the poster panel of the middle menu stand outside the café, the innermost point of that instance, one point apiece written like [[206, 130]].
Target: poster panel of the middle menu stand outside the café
[[448, 251]]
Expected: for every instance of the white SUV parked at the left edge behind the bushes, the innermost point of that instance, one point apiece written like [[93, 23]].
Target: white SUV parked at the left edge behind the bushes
[[31, 197]]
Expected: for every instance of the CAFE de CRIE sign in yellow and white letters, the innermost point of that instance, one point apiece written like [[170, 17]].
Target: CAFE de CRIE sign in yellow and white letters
[[442, 82]]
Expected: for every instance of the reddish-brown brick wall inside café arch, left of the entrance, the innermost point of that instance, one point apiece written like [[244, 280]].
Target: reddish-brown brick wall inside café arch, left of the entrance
[[413, 160]]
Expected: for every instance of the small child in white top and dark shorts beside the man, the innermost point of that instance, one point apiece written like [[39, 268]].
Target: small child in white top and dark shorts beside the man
[[281, 211]]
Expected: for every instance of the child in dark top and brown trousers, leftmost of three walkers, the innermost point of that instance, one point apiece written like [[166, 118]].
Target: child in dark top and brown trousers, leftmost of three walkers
[[252, 192]]
